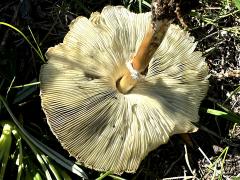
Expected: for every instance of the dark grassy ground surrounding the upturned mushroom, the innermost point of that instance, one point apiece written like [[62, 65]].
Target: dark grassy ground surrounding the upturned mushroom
[[26, 142]]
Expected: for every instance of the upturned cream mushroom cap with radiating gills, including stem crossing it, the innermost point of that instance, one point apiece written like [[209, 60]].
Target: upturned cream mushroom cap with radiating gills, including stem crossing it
[[110, 99]]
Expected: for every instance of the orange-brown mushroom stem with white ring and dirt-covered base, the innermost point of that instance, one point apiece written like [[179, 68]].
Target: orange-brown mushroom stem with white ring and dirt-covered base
[[162, 15]]
